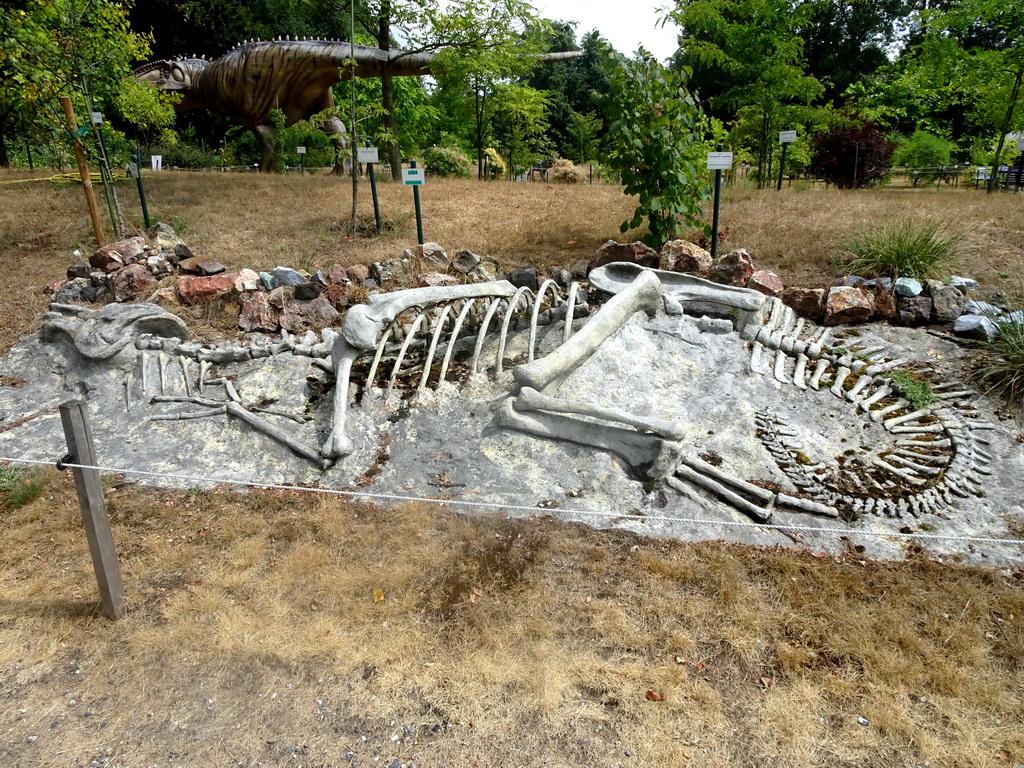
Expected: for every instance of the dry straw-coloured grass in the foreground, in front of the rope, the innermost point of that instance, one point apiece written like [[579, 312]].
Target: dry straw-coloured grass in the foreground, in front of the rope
[[252, 627]]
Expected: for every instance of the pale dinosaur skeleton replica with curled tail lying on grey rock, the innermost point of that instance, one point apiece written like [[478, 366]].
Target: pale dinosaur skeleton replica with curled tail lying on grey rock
[[930, 456]]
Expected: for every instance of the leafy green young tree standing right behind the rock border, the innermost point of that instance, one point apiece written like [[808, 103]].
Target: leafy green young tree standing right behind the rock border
[[653, 143]]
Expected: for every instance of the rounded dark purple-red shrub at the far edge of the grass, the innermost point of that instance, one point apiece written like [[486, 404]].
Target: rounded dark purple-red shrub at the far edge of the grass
[[852, 156]]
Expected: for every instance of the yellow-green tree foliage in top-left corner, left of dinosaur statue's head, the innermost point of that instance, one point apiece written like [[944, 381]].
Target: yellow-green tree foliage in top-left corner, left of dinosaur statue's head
[[51, 49]]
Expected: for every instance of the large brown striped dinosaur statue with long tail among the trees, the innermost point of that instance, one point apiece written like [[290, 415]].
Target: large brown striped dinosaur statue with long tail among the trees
[[294, 76]]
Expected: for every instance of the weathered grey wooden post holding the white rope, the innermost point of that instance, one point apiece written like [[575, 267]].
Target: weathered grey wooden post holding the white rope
[[91, 499]]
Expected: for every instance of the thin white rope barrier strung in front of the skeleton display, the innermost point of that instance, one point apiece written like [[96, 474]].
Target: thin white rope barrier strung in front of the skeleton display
[[521, 508]]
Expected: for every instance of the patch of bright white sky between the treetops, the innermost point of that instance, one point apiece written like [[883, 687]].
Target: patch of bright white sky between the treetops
[[626, 26]]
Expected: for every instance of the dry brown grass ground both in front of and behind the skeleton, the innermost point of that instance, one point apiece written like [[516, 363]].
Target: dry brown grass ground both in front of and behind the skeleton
[[285, 628]]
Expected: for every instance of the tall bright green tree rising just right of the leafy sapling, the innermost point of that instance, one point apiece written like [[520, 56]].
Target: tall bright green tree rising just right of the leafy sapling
[[748, 54]]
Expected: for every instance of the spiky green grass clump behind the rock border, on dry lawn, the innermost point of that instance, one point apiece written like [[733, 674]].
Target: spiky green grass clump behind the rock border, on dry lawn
[[901, 250]]
